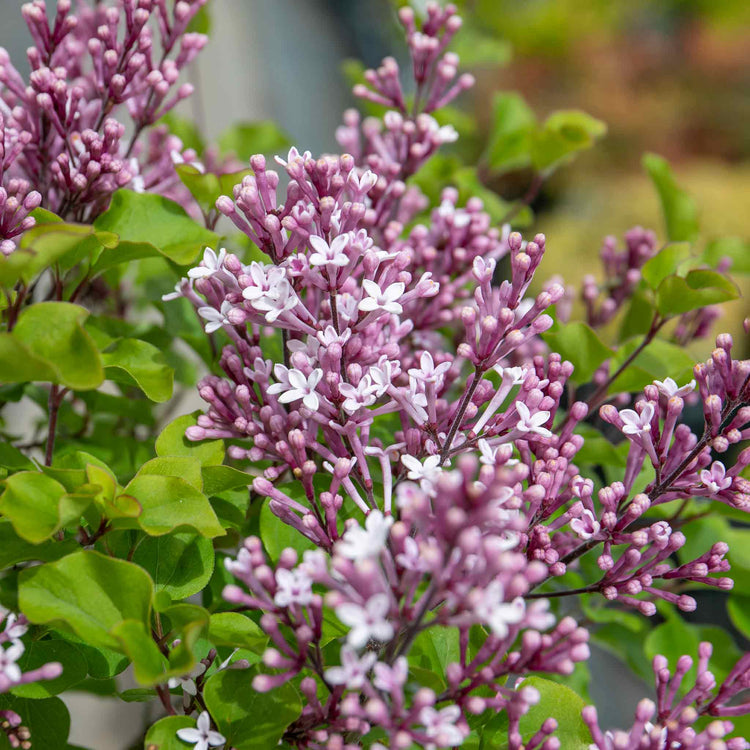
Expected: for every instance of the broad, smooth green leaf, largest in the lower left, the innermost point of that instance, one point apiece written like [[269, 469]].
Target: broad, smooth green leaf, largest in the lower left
[[89, 593]]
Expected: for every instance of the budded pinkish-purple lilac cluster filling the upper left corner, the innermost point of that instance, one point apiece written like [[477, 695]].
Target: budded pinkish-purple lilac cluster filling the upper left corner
[[60, 132]]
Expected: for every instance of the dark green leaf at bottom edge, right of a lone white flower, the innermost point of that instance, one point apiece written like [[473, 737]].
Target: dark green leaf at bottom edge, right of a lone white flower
[[248, 719]]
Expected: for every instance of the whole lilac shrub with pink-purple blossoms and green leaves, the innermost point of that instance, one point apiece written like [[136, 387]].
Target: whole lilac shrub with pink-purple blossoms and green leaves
[[445, 477]]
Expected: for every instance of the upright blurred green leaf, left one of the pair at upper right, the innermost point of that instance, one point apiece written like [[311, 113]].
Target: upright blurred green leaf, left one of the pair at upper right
[[513, 122]]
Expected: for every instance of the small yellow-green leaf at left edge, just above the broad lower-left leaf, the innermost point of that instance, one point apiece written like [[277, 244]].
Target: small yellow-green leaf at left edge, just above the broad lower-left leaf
[[38, 506]]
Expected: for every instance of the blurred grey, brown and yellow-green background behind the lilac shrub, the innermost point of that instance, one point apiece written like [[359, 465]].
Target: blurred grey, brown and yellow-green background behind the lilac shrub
[[669, 76]]
